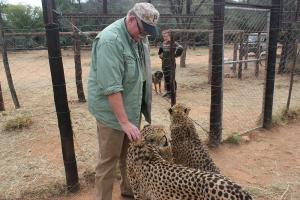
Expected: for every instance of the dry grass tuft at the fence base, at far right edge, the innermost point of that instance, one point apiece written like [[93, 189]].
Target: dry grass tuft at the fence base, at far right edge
[[285, 117]]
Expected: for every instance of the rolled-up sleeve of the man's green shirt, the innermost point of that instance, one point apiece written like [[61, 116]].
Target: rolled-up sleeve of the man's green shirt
[[110, 67]]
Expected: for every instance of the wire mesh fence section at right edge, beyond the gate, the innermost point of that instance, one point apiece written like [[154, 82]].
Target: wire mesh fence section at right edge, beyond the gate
[[287, 72]]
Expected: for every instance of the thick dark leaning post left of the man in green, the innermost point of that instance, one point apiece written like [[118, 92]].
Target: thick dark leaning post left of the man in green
[[60, 94]]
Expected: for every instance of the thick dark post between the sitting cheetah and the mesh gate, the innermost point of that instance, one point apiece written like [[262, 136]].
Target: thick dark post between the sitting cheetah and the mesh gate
[[216, 106]]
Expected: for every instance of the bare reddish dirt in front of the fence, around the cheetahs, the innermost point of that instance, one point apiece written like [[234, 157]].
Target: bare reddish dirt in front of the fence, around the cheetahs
[[268, 165]]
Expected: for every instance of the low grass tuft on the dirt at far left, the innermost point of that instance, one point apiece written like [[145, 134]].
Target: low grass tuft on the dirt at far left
[[18, 122]]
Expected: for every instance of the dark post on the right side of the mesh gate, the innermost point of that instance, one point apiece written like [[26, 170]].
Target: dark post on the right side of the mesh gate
[[270, 75]]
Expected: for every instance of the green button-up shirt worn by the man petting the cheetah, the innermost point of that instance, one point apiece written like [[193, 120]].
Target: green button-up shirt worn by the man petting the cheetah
[[116, 67]]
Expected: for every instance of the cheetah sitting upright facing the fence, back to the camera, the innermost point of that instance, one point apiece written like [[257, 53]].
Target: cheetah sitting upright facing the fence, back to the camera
[[187, 148]]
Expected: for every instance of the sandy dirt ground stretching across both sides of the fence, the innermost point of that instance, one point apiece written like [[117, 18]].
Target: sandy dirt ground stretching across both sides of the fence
[[31, 162]]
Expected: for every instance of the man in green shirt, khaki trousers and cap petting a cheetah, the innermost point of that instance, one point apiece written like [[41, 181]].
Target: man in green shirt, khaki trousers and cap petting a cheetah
[[119, 90]]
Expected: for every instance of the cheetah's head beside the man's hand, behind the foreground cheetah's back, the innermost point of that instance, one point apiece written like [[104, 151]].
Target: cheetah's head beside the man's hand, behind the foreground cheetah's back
[[156, 135]]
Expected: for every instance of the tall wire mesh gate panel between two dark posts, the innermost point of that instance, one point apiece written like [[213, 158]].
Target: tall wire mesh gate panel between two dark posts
[[245, 51]]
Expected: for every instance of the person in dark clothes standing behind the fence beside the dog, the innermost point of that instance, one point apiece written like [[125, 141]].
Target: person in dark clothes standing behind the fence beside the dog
[[164, 54]]
